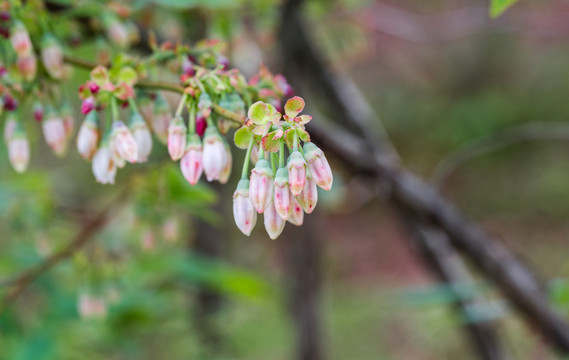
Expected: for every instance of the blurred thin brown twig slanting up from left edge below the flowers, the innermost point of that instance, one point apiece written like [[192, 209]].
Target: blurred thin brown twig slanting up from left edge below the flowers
[[21, 282]]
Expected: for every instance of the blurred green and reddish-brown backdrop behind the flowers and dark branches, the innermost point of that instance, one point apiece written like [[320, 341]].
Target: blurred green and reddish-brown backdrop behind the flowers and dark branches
[[477, 105]]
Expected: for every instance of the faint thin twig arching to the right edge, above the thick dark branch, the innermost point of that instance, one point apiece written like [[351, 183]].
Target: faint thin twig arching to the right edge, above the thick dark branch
[[515, 135]]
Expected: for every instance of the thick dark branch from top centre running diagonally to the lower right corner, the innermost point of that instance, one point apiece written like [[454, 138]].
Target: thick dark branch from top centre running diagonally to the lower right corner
[[410, 194]]
